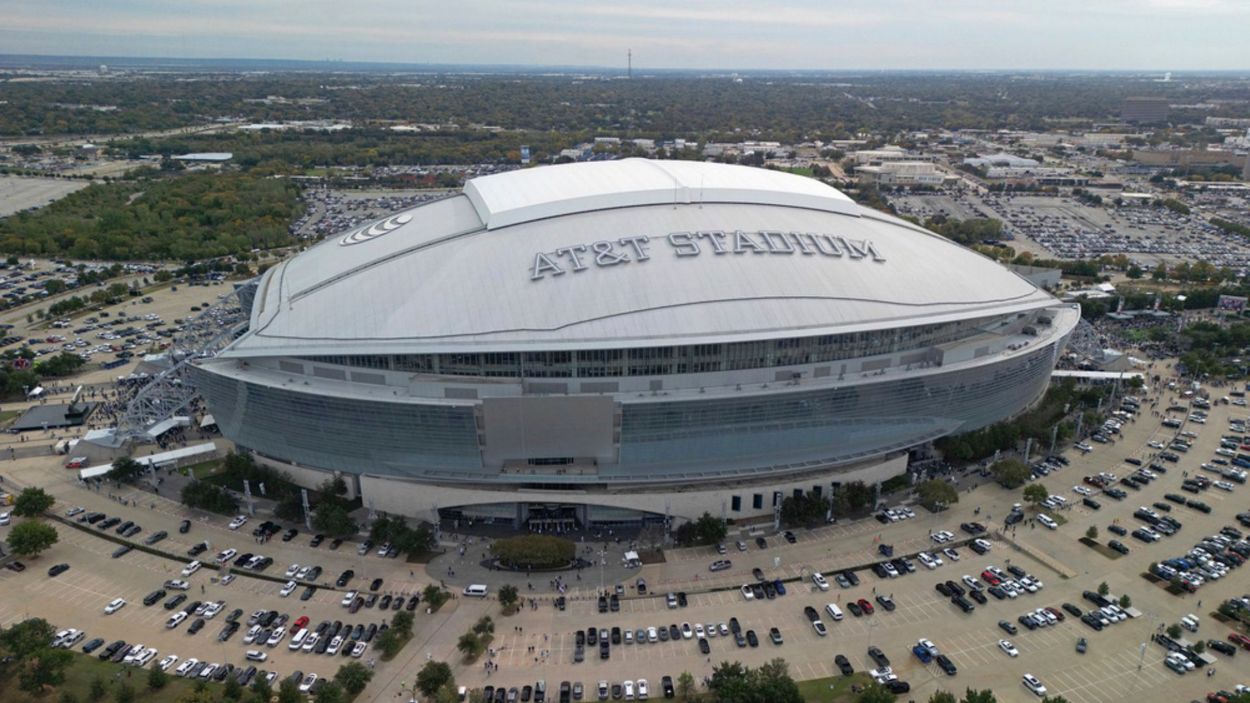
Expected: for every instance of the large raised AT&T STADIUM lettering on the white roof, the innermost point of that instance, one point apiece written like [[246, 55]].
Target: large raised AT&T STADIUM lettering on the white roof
[[638, 250]]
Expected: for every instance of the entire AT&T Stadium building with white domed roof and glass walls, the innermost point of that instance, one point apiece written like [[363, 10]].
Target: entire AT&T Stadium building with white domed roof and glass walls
[[627, 342]]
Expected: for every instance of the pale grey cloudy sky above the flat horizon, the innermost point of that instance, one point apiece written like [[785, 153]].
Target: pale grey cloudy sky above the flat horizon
[[699, 34]]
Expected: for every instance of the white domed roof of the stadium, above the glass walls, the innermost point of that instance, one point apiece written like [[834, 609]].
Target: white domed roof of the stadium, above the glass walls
[[436, 280]]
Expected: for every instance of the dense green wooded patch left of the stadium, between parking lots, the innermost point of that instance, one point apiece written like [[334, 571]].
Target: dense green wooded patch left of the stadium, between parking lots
[[188, 218]]
